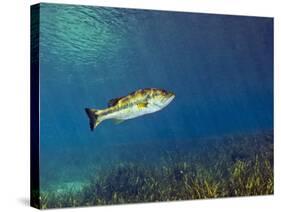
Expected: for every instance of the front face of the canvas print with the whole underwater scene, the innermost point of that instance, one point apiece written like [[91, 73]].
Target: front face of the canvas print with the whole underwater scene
[[145, 106]]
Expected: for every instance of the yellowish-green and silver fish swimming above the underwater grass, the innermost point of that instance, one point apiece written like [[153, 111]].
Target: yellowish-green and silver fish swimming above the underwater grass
[[138, 103]]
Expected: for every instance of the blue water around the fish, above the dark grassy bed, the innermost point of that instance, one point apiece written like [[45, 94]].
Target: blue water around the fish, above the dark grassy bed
[[219, 67]]
